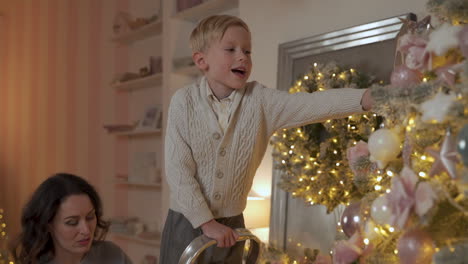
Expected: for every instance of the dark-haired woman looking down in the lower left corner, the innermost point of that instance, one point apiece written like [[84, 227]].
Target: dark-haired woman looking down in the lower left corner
[[62, 224]]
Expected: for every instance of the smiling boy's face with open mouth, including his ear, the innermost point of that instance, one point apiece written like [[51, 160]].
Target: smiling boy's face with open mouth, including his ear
[[227, 63]]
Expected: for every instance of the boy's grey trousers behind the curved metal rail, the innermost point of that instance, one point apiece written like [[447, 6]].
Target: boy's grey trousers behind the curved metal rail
[[178, 233]]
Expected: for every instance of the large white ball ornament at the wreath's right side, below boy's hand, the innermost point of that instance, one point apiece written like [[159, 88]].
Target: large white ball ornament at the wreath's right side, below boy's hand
[[384, 146]]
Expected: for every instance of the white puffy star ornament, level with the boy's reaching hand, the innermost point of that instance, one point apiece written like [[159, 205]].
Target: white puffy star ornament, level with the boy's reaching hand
[[435, 109]]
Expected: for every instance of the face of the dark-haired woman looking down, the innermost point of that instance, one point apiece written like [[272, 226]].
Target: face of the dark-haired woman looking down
[[73, 226]]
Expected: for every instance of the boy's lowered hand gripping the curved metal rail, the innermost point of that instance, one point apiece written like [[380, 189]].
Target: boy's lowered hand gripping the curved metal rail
[[224, 236]]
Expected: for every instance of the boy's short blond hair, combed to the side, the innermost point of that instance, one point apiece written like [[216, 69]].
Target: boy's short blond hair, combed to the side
[[213, 28]]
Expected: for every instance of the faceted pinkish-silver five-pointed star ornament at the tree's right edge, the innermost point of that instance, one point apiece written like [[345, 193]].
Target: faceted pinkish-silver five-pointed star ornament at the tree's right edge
[[445, 159]]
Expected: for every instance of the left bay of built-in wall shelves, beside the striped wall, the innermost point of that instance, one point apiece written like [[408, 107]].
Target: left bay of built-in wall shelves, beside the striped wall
[[140, 94]]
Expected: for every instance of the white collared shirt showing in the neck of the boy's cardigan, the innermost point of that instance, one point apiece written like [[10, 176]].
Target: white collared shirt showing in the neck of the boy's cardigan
[[221, 108]]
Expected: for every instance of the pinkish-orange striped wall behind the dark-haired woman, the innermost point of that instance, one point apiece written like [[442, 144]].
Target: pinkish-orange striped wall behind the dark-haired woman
[[56, 62]]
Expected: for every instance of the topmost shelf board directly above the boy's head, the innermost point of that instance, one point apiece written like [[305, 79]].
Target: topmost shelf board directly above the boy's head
[[206, 8]]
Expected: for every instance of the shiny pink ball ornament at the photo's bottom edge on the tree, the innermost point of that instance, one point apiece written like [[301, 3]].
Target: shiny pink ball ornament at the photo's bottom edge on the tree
[[415, 247]]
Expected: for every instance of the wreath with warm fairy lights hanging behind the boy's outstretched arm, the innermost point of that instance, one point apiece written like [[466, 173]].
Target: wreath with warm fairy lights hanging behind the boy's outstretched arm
[[312, 159]]
